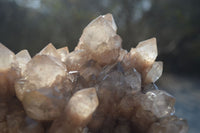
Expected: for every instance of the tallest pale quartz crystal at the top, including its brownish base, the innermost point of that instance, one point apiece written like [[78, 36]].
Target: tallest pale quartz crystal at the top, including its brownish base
[[99, 38]]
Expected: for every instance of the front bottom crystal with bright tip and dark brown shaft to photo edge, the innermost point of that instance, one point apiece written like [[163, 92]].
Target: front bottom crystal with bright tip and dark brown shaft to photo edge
[[78, 112]]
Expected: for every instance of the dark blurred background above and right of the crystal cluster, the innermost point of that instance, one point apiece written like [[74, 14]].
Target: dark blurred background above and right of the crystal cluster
[[32, 24]]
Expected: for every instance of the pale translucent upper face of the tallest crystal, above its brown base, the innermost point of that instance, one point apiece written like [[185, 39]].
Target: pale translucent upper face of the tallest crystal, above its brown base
[[99, 31]]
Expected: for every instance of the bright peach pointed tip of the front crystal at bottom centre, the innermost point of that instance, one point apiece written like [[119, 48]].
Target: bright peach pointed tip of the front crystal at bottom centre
[[81, 106]]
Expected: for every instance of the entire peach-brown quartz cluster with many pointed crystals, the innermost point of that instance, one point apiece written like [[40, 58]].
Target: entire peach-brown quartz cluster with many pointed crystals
[[97, 88]]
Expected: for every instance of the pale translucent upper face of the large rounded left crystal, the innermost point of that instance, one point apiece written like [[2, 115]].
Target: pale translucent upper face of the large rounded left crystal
[[43, 71]]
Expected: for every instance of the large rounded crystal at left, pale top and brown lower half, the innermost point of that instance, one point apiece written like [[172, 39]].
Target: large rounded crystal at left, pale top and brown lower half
[[40, 89]]
